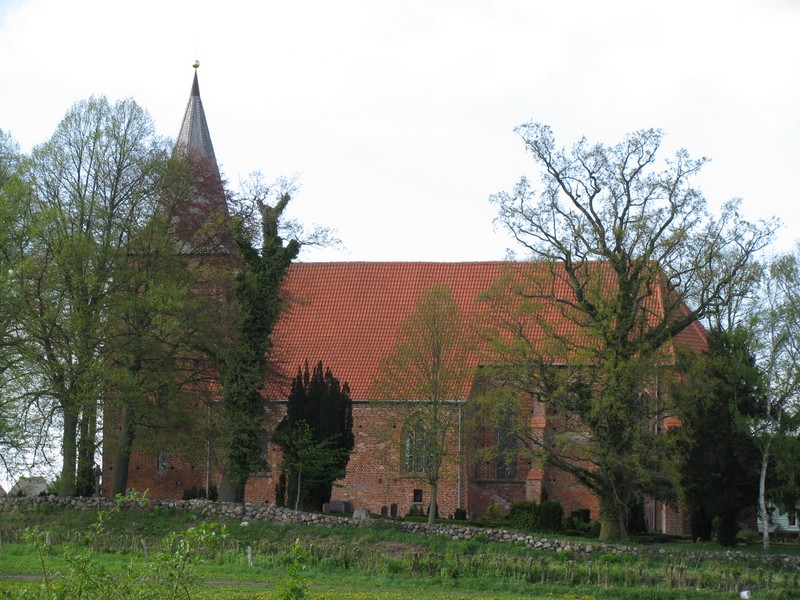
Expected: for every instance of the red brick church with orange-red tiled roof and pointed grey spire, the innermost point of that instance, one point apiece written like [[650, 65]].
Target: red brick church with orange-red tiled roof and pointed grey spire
[[347, 315]]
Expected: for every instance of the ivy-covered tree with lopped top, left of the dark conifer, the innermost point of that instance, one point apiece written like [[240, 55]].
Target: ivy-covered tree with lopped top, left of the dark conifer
[[244, 366]]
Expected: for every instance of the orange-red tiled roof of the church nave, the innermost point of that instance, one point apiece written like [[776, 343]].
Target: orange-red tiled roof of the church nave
[[348, 314]]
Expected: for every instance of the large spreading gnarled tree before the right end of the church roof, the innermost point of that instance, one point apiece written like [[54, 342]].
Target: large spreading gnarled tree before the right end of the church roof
[[625, 238]]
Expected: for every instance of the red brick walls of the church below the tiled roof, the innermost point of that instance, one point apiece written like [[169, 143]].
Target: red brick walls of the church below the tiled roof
[[374, 475]]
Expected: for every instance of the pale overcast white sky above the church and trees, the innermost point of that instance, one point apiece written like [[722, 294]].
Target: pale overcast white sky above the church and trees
[[398, 117]]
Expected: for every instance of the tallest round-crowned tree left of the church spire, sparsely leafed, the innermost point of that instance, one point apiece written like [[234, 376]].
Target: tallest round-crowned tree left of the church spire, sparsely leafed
[[93, 182]]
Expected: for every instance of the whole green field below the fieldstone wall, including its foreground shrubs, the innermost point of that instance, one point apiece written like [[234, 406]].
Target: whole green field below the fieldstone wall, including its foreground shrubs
[[131, 553]]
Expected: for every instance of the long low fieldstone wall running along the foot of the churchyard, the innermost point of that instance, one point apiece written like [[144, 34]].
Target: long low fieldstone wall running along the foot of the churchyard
[[251, 511]]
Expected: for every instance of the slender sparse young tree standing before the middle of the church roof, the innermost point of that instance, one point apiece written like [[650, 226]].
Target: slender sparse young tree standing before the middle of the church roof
[[428, 369]]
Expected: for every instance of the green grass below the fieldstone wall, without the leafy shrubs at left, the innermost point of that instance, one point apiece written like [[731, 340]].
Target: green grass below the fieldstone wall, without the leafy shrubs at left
[[379, 562]]
